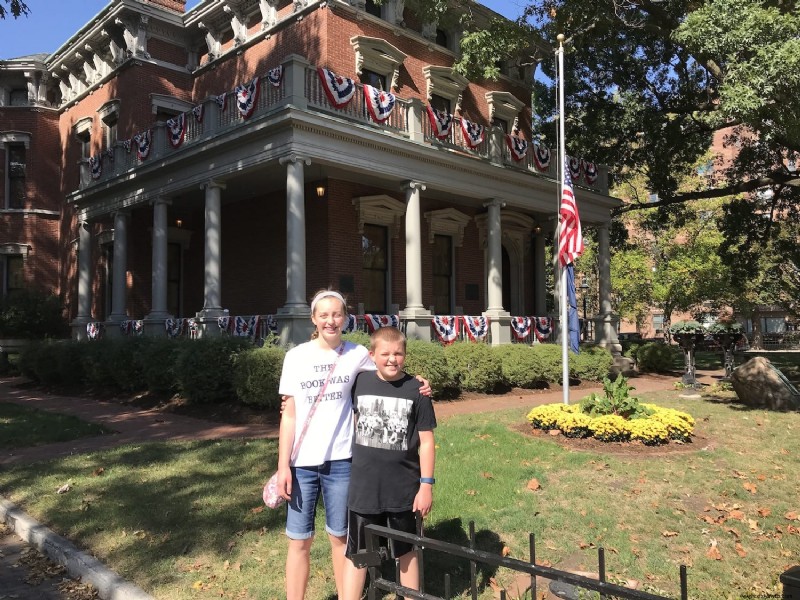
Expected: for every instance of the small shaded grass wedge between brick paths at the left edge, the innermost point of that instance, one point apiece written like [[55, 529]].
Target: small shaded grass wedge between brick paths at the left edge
[[21, 426]]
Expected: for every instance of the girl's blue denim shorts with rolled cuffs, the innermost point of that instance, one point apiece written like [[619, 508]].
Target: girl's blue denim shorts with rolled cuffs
[[332, 478]]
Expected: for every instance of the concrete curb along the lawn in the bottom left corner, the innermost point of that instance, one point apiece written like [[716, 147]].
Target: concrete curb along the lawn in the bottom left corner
[[88, 569]]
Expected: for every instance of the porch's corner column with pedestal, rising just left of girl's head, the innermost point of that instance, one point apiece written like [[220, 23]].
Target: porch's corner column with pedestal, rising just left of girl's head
[[293, 318]]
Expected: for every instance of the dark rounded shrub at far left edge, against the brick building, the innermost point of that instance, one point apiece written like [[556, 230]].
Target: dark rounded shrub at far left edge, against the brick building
[[30, 314]]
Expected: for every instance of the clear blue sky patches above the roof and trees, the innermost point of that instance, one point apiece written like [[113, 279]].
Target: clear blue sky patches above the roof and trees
[[52, 22]]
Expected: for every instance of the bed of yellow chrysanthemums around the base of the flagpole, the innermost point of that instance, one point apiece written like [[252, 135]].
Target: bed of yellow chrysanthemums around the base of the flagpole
[[659, 427]]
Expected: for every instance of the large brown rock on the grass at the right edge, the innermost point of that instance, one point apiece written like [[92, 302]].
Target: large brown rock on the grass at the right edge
[[759, 383]]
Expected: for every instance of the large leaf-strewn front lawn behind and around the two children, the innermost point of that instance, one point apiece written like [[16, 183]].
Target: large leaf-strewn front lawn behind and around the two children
[[185, 520]]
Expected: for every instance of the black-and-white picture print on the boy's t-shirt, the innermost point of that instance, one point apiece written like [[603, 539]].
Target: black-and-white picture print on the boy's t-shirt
[[383, 422]]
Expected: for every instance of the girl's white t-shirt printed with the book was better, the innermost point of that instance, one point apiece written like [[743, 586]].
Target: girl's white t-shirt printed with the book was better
[[305, 369]]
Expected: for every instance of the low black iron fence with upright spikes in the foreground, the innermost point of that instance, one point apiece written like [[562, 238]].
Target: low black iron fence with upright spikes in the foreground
[[571, 584]]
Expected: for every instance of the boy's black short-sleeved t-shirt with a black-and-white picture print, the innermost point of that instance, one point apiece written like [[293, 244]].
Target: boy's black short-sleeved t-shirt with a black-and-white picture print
[[385, 473]]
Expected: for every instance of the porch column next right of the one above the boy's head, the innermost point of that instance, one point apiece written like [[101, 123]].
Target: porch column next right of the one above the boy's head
[[500, 319]]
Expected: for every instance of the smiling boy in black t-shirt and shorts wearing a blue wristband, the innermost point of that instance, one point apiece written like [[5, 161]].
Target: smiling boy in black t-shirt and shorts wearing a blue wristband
[[392, 473]]
